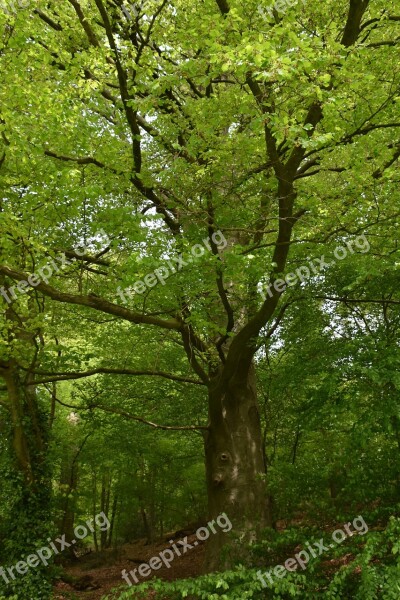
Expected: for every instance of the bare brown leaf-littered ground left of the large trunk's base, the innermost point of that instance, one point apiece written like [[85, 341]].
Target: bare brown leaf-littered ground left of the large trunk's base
[[100, 572]]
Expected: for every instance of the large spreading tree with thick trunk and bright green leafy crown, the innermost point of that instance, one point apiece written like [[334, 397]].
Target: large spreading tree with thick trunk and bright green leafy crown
[[198, 123]]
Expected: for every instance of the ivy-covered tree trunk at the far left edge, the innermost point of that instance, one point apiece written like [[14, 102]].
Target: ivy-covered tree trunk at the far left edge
[[29, 519]]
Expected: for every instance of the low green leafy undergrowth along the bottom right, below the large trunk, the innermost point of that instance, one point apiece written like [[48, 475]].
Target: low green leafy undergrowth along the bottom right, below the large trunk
[[368, 569]]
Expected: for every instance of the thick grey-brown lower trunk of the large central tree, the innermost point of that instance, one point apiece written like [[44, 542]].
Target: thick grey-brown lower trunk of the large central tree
[[235, 466]]
